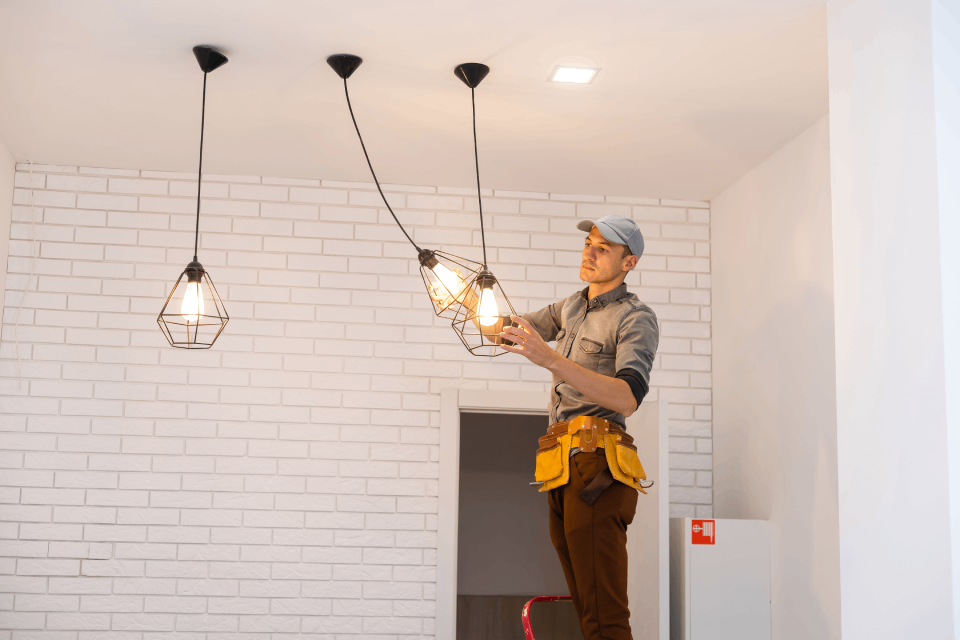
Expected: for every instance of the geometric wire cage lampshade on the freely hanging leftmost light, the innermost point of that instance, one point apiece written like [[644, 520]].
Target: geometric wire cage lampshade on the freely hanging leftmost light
[[193, 315]]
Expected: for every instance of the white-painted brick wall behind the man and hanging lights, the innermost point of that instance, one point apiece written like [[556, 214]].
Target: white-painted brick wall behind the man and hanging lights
[[286, 480]]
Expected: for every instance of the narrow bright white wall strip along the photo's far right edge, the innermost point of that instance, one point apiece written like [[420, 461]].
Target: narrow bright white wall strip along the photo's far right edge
[[945, 20]]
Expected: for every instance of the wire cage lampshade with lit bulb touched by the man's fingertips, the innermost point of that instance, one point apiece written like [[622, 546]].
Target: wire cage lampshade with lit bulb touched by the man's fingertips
[[482, 314]]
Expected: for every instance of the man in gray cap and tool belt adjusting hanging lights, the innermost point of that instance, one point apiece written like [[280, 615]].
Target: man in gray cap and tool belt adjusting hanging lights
[[606, 343]]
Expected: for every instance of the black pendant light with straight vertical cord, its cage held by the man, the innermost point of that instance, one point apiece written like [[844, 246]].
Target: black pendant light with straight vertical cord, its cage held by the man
[[485, 310]]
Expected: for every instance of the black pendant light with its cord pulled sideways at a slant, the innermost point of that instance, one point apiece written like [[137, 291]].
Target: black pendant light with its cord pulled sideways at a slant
[[444, 275]]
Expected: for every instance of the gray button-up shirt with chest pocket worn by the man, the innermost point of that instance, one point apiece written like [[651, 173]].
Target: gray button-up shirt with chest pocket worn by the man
[[614, 333]]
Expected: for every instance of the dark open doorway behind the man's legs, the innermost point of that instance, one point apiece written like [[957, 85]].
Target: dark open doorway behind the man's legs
[[505, 556]]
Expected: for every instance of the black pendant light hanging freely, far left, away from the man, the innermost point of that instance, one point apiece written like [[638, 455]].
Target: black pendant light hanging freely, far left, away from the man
[[193, 315]]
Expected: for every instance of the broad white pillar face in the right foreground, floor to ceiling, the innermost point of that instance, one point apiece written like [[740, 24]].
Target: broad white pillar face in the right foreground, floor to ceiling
[[891, 401]]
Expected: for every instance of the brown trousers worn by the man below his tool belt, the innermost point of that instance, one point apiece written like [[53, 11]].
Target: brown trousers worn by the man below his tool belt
[[591, 541]]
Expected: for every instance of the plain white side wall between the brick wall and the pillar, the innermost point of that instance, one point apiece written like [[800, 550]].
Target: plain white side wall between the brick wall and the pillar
[[775, 446]]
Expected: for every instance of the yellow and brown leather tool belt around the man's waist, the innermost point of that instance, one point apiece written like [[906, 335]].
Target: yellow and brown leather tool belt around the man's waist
[[588, 433]]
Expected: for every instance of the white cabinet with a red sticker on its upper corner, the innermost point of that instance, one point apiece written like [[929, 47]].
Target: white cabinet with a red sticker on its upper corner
[[719, 579]]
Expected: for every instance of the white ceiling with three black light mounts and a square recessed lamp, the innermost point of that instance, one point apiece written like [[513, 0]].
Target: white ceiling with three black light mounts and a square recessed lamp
[[692, 93]]
